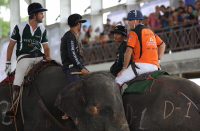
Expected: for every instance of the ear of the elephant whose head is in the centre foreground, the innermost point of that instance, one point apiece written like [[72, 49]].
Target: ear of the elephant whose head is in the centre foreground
[[71, 99]]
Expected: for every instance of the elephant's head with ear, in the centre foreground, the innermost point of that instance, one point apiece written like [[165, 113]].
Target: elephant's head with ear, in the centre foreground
[[94, 103]]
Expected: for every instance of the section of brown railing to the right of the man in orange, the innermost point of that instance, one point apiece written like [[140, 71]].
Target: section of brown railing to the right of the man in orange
[[181, 38]]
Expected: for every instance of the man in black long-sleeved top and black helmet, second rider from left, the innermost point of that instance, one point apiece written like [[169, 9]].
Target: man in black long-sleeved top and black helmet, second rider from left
[[71, 49]]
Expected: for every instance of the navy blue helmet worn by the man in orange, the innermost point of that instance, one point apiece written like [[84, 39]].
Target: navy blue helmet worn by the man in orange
[[134, 15]]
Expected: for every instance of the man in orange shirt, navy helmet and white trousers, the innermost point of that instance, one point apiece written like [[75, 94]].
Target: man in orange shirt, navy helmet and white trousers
[[144, 46]]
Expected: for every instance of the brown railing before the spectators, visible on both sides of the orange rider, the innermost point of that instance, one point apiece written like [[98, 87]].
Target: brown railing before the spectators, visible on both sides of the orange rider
[[176, 38]]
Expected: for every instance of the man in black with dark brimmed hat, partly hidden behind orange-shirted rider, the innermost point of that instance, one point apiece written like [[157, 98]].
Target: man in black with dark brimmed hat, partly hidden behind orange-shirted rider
[[120, 37]]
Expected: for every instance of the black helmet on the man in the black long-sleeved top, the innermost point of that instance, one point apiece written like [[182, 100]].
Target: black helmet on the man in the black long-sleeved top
[[74, 19]]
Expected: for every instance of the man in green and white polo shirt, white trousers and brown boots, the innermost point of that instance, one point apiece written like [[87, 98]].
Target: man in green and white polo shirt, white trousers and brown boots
[[29, 36]]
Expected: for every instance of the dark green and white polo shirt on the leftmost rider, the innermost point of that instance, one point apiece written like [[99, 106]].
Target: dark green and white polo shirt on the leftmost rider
[[29, 41]]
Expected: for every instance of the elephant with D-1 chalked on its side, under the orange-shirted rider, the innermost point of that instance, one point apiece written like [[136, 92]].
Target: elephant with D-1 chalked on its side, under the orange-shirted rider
[[165, 108]]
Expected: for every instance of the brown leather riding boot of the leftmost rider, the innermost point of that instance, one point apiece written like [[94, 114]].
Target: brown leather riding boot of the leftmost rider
[[16, 90]]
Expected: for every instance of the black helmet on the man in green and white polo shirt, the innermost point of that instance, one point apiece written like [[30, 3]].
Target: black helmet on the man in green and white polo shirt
[[35, 8]]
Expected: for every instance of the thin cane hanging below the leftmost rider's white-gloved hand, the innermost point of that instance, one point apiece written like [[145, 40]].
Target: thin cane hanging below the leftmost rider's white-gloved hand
[[11, 97]]
